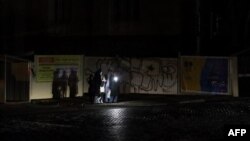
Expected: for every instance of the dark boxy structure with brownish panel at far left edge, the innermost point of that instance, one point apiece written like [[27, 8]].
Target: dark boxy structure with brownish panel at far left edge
[[14, 79]]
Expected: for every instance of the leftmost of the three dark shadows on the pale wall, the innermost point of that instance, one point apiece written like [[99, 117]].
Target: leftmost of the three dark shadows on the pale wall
[[56, 85]]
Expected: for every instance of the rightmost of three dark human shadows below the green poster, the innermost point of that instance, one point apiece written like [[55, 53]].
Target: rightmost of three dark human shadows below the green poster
[[73, 83]]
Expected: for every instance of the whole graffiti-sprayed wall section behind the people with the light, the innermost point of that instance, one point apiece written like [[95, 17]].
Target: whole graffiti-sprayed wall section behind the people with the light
[[154, 76]]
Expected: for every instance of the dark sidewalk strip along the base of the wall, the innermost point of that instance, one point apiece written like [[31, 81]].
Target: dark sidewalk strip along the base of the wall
[[142, 100]]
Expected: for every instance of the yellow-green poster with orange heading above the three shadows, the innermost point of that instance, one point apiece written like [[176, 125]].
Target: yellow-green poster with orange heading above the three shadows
[[48, 65]]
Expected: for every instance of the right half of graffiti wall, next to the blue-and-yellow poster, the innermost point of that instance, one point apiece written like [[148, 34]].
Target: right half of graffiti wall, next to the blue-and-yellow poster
[[154, 76]]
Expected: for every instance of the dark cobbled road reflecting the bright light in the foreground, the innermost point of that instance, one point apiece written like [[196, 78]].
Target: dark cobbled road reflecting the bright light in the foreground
[[184, 120]]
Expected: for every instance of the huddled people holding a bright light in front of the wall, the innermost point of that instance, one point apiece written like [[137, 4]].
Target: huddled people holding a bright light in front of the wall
[[103, 88]]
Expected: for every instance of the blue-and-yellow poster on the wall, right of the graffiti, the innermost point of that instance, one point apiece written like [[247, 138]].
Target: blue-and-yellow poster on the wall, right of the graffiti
[[205, 75]]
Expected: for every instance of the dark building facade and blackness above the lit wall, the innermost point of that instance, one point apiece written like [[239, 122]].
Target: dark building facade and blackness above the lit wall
[[128, 28]]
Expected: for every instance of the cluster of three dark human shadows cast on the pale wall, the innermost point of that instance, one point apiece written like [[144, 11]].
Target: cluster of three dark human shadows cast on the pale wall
[[61, 81]]
